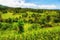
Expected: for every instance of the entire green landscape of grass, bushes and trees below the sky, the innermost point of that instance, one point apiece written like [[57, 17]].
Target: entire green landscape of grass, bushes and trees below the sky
[[29, 24]]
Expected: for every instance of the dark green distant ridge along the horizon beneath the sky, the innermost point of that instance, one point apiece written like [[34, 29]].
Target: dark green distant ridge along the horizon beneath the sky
[[19, 9]]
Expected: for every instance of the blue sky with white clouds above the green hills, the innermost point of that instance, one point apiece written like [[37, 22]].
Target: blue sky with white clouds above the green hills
[[40, 4]]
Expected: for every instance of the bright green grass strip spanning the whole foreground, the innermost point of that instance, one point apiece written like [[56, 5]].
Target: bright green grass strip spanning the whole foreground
[[40, 34]]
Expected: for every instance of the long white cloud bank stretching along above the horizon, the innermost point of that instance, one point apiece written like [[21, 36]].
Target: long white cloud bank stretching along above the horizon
[[21, 3]]
